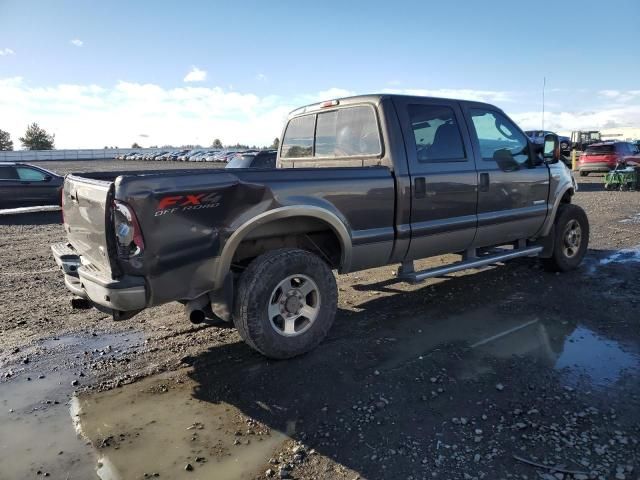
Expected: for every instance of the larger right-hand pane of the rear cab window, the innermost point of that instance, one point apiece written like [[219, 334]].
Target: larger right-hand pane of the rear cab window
[[347, 132]]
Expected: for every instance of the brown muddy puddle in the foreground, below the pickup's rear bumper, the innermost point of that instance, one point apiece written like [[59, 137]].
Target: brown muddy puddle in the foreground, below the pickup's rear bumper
[[157, 426]]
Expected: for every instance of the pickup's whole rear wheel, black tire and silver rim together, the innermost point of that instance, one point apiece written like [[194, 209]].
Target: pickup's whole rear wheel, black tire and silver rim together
[[286, 303]]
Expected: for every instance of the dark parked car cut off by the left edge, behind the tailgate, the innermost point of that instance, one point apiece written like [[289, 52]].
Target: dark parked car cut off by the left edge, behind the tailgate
[[23, 185]]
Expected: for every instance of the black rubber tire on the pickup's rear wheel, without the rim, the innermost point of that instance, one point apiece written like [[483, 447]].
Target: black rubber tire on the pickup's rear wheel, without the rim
[[254, 292]]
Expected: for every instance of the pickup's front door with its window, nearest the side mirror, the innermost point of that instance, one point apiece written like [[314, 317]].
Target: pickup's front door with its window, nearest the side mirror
[[513, 185]]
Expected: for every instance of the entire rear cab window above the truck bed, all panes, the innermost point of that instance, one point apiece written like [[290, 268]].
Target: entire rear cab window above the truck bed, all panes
[[342, 133]]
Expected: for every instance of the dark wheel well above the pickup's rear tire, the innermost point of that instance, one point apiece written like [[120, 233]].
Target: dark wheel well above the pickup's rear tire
[[306, 233]]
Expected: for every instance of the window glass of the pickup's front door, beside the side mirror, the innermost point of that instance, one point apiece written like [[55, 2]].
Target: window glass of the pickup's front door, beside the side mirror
[[499, 137]]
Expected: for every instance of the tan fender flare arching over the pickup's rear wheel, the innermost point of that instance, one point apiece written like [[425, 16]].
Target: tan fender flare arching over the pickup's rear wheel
[[337, 225]]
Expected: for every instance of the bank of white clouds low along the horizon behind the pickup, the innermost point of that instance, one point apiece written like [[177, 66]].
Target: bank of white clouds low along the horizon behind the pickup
[[90, 116]]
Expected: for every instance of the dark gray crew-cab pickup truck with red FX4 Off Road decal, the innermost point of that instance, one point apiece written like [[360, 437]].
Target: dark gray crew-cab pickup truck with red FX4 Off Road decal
[[361, 182]]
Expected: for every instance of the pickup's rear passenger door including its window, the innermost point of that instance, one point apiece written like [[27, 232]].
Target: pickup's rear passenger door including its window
[[443, 176]]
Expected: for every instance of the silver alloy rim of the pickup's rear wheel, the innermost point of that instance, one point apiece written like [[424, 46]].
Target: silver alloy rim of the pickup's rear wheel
[[294, 305]]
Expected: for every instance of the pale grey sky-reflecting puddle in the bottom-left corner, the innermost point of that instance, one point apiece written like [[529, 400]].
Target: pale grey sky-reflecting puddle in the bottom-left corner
[[36, 434]]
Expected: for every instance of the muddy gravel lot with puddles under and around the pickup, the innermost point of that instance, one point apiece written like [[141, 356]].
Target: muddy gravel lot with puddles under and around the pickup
[[502, 372]]
